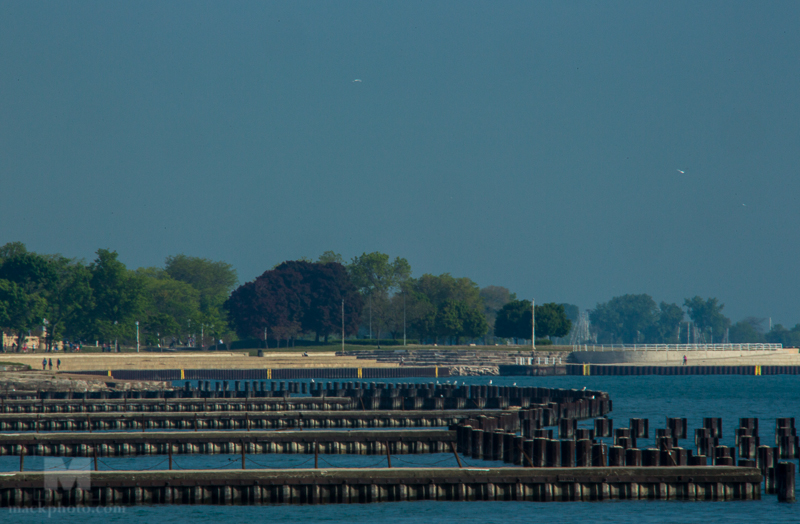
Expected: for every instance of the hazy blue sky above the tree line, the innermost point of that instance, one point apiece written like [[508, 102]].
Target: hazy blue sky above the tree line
[[533, 145]]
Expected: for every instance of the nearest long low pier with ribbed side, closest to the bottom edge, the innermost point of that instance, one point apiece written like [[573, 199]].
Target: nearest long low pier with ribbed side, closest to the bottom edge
[[379, 485]]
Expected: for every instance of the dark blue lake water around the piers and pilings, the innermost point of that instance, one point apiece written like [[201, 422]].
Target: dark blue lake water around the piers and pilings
[[655, 397]]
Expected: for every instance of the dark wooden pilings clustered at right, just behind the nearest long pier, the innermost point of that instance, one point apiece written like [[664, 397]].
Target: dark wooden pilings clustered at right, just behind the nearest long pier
[[486, 438]]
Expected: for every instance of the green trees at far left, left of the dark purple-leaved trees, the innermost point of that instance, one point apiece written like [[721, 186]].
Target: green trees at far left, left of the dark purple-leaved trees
[[103, 300]]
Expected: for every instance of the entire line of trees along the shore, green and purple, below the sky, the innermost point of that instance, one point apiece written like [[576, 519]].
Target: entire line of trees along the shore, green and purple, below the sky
[[375, 295]]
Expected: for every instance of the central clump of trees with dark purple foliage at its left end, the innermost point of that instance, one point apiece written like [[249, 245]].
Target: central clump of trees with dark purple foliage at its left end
[[376, 296]]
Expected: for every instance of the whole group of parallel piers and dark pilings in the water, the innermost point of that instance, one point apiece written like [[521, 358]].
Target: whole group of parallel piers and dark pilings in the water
[[480, 422]]
